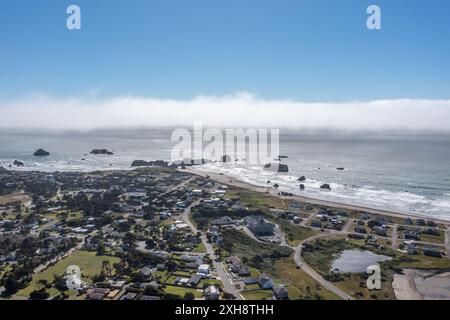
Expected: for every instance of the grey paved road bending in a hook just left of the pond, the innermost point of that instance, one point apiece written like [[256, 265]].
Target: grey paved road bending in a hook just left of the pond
[[312, 273]]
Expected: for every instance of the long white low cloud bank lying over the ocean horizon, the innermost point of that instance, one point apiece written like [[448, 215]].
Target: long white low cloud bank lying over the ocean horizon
[[239, 110]]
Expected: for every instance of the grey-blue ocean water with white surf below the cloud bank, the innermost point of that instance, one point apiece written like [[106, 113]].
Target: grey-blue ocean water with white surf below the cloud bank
[[402, 172]]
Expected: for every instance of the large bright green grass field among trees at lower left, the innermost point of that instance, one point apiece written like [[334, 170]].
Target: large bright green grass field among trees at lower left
[[89, 263]]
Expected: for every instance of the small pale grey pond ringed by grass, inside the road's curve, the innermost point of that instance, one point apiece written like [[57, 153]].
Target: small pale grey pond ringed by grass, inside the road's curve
[[355, 261]]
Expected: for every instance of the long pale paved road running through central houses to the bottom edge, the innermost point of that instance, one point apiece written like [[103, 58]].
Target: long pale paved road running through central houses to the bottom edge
[[220, 268]]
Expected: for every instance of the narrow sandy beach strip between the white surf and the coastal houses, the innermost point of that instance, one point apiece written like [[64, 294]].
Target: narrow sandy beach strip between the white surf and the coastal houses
[[232, 181]]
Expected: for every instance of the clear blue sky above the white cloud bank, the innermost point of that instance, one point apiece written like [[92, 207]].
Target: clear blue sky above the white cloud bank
[[305, 50]]
